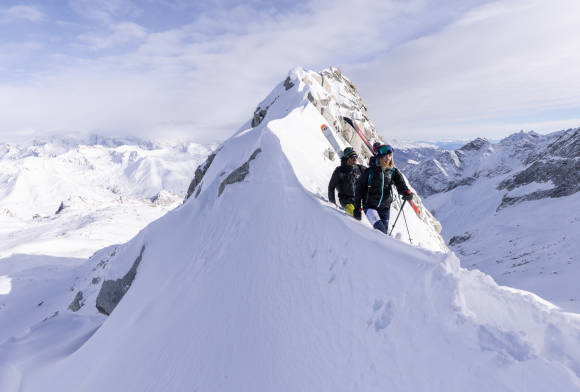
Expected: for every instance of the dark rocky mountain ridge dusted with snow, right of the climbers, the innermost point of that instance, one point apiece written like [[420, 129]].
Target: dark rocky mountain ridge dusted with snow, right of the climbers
[[527, 156]]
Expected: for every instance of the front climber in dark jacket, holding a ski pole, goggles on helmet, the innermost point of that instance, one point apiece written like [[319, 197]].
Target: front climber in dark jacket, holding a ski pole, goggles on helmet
[[374, 189]]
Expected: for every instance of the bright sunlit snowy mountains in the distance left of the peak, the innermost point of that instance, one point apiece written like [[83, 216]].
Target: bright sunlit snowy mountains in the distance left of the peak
[[66, 197]]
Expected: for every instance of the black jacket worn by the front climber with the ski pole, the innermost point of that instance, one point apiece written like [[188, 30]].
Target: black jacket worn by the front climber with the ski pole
[[374, 187]]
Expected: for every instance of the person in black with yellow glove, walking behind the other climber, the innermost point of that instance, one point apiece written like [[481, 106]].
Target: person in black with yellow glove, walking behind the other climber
[[344, 179]]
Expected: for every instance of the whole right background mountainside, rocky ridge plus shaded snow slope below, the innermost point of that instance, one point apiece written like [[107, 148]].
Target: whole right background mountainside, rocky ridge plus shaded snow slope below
[[510, 209]]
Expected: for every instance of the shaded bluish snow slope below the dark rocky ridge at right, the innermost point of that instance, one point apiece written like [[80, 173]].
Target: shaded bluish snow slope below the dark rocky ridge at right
[[534, 245]]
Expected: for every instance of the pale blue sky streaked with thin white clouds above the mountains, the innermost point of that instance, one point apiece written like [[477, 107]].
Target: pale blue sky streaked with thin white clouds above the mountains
[[428, 70]]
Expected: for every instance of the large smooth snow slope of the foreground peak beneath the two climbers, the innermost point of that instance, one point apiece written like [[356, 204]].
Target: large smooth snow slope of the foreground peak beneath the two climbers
[[257, 284]]
